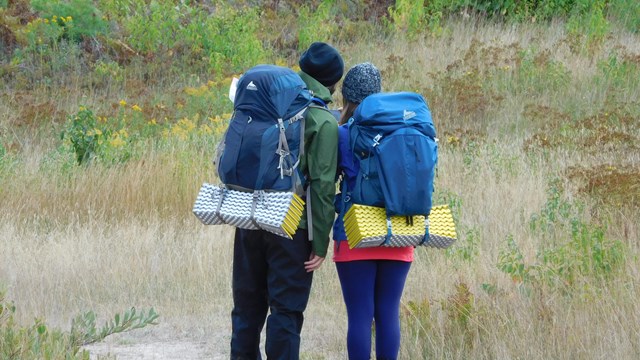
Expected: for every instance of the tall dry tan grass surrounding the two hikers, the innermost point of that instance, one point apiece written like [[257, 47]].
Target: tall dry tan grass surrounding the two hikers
[[108, 238]]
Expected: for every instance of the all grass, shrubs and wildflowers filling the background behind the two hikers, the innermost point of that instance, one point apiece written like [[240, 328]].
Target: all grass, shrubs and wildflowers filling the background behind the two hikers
[[112, 110]]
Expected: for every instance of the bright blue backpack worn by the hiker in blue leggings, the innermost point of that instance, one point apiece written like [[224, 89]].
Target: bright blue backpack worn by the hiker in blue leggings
[[393, 137]]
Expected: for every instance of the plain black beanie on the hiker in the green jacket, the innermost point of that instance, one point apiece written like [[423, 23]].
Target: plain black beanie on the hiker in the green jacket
[[323, 63]]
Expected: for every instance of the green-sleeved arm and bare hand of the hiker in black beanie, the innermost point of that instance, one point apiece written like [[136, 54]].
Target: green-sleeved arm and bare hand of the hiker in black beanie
[[322, 155]]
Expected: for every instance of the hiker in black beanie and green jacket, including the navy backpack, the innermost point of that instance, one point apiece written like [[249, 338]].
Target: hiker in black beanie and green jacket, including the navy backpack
[[272, 274]]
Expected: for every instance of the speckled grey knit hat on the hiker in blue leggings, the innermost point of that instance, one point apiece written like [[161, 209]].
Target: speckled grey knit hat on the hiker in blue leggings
[[361, 81]]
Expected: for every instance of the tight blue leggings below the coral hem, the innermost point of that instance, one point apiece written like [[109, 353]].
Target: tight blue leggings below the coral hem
[[372, 290]]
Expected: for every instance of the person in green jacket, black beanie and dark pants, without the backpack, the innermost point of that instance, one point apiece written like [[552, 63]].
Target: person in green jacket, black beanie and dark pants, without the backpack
[[272, 274]]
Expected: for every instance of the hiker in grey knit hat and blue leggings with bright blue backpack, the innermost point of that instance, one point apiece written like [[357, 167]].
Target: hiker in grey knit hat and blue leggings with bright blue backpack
[[373, 278]]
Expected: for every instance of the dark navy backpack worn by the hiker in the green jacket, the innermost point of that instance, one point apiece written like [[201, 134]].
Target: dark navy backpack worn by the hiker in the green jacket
[[262, 147]]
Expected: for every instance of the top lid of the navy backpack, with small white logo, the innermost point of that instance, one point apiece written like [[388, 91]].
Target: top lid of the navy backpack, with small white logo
[[271, 92]]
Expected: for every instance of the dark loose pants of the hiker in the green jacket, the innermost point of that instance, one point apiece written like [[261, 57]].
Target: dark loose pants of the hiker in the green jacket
[[269, 275]]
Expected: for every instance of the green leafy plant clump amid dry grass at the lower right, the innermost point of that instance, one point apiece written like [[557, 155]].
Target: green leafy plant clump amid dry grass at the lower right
[[573, 250]]
